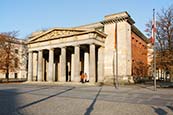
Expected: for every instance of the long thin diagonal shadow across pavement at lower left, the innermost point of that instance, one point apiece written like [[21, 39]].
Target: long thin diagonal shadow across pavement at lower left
[[38, 101]]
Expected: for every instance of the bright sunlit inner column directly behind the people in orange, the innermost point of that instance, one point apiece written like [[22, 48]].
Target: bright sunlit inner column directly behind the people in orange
[[86, 64]]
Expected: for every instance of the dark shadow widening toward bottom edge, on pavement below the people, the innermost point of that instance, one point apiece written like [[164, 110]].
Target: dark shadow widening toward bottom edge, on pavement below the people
[[91, 107]]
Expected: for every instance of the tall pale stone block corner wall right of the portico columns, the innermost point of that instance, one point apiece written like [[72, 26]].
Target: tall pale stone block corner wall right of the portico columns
[[124, 52]]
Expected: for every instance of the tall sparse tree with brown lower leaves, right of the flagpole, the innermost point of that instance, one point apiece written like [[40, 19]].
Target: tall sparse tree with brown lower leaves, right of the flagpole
[[164, 38]]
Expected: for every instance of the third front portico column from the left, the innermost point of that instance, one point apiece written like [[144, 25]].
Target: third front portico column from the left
[[51, 60]]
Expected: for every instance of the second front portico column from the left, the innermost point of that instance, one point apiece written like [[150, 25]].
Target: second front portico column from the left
[[40, 65]]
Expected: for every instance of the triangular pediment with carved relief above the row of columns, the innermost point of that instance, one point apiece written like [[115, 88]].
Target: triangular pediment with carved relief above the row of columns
[[54, 34]]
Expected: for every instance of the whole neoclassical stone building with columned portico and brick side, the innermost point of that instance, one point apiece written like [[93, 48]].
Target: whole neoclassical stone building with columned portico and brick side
[[102, 50]]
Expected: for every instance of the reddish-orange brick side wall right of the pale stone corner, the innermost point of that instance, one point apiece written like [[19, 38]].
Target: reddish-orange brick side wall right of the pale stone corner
[[139, 56]]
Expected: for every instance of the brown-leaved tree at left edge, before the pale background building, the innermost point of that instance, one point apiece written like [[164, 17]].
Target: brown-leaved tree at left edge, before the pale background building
[[9, 61]]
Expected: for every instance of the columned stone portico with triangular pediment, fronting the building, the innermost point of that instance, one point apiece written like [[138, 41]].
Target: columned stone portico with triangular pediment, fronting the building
[[61, 54]]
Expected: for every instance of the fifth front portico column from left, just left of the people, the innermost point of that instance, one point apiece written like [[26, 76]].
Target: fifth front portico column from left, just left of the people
[[77, 64]]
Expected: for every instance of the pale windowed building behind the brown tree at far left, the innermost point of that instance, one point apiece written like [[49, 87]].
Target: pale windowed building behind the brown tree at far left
[[17, 59]]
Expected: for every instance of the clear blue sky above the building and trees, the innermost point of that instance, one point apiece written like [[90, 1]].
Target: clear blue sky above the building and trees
[[27, 16]]
